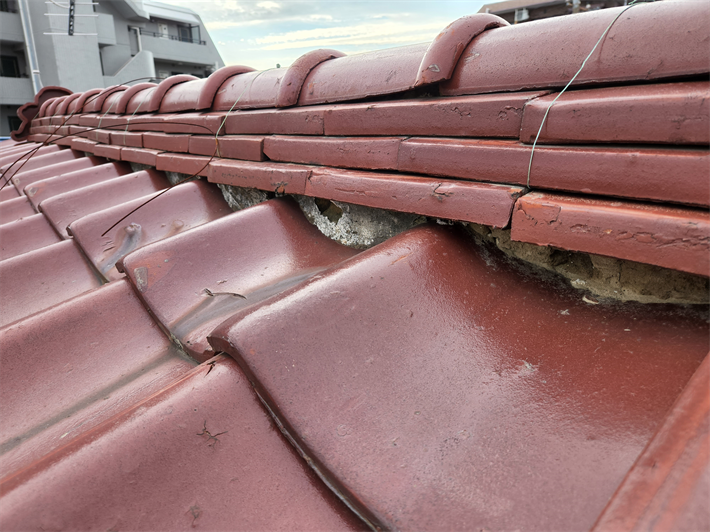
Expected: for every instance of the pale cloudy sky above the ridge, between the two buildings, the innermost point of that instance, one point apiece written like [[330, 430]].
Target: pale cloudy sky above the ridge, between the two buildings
[[262, 33]]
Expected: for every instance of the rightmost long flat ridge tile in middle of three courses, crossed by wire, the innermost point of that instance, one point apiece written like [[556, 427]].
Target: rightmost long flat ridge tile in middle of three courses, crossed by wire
[[677, 175]]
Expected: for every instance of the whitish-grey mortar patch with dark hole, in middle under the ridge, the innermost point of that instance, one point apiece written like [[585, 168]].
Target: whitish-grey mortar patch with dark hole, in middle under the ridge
[[354, 225]]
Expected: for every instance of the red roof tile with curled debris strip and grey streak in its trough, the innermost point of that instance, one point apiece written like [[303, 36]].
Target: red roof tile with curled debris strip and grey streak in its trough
[[262, 251]]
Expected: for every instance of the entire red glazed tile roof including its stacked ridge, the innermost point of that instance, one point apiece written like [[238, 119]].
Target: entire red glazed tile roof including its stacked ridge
[[432, 381]]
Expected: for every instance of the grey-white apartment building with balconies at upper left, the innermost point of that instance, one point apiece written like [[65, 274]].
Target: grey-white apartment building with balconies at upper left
[[114, 42]]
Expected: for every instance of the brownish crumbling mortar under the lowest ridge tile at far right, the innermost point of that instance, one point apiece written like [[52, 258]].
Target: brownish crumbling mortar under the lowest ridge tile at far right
[[603, 277]]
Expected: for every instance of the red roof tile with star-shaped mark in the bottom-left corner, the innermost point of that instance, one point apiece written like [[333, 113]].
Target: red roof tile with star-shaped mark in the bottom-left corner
[[202, 453]]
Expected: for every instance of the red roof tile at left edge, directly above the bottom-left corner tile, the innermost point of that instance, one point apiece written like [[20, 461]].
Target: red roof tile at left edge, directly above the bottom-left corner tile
[[106, 354]]
